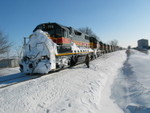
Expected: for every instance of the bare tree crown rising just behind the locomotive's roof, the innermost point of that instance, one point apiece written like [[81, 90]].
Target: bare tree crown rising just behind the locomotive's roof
[[88, 31]]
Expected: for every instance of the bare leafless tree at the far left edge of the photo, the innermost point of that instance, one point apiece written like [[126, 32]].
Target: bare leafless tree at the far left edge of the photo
[[4, 44]]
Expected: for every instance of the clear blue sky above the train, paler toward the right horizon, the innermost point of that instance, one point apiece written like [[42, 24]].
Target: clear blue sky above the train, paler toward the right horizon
[[124, 20]]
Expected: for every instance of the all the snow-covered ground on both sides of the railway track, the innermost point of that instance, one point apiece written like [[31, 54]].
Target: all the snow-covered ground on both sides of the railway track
[[112, 84]]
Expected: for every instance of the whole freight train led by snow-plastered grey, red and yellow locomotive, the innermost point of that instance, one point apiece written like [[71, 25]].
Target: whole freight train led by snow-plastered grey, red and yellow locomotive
[[53, 46]]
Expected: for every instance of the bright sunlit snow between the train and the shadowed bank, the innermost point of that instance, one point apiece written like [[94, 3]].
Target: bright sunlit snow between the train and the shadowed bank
[[74, 90]]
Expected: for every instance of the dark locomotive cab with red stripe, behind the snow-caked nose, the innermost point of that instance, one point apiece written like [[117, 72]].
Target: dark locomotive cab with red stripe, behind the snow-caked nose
[[59, 34]]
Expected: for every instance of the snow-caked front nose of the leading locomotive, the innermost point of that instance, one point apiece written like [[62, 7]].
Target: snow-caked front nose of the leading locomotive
[[39, 54]]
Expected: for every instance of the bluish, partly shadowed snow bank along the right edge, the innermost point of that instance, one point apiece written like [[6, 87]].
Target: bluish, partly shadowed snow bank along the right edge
[[131, 89]]
